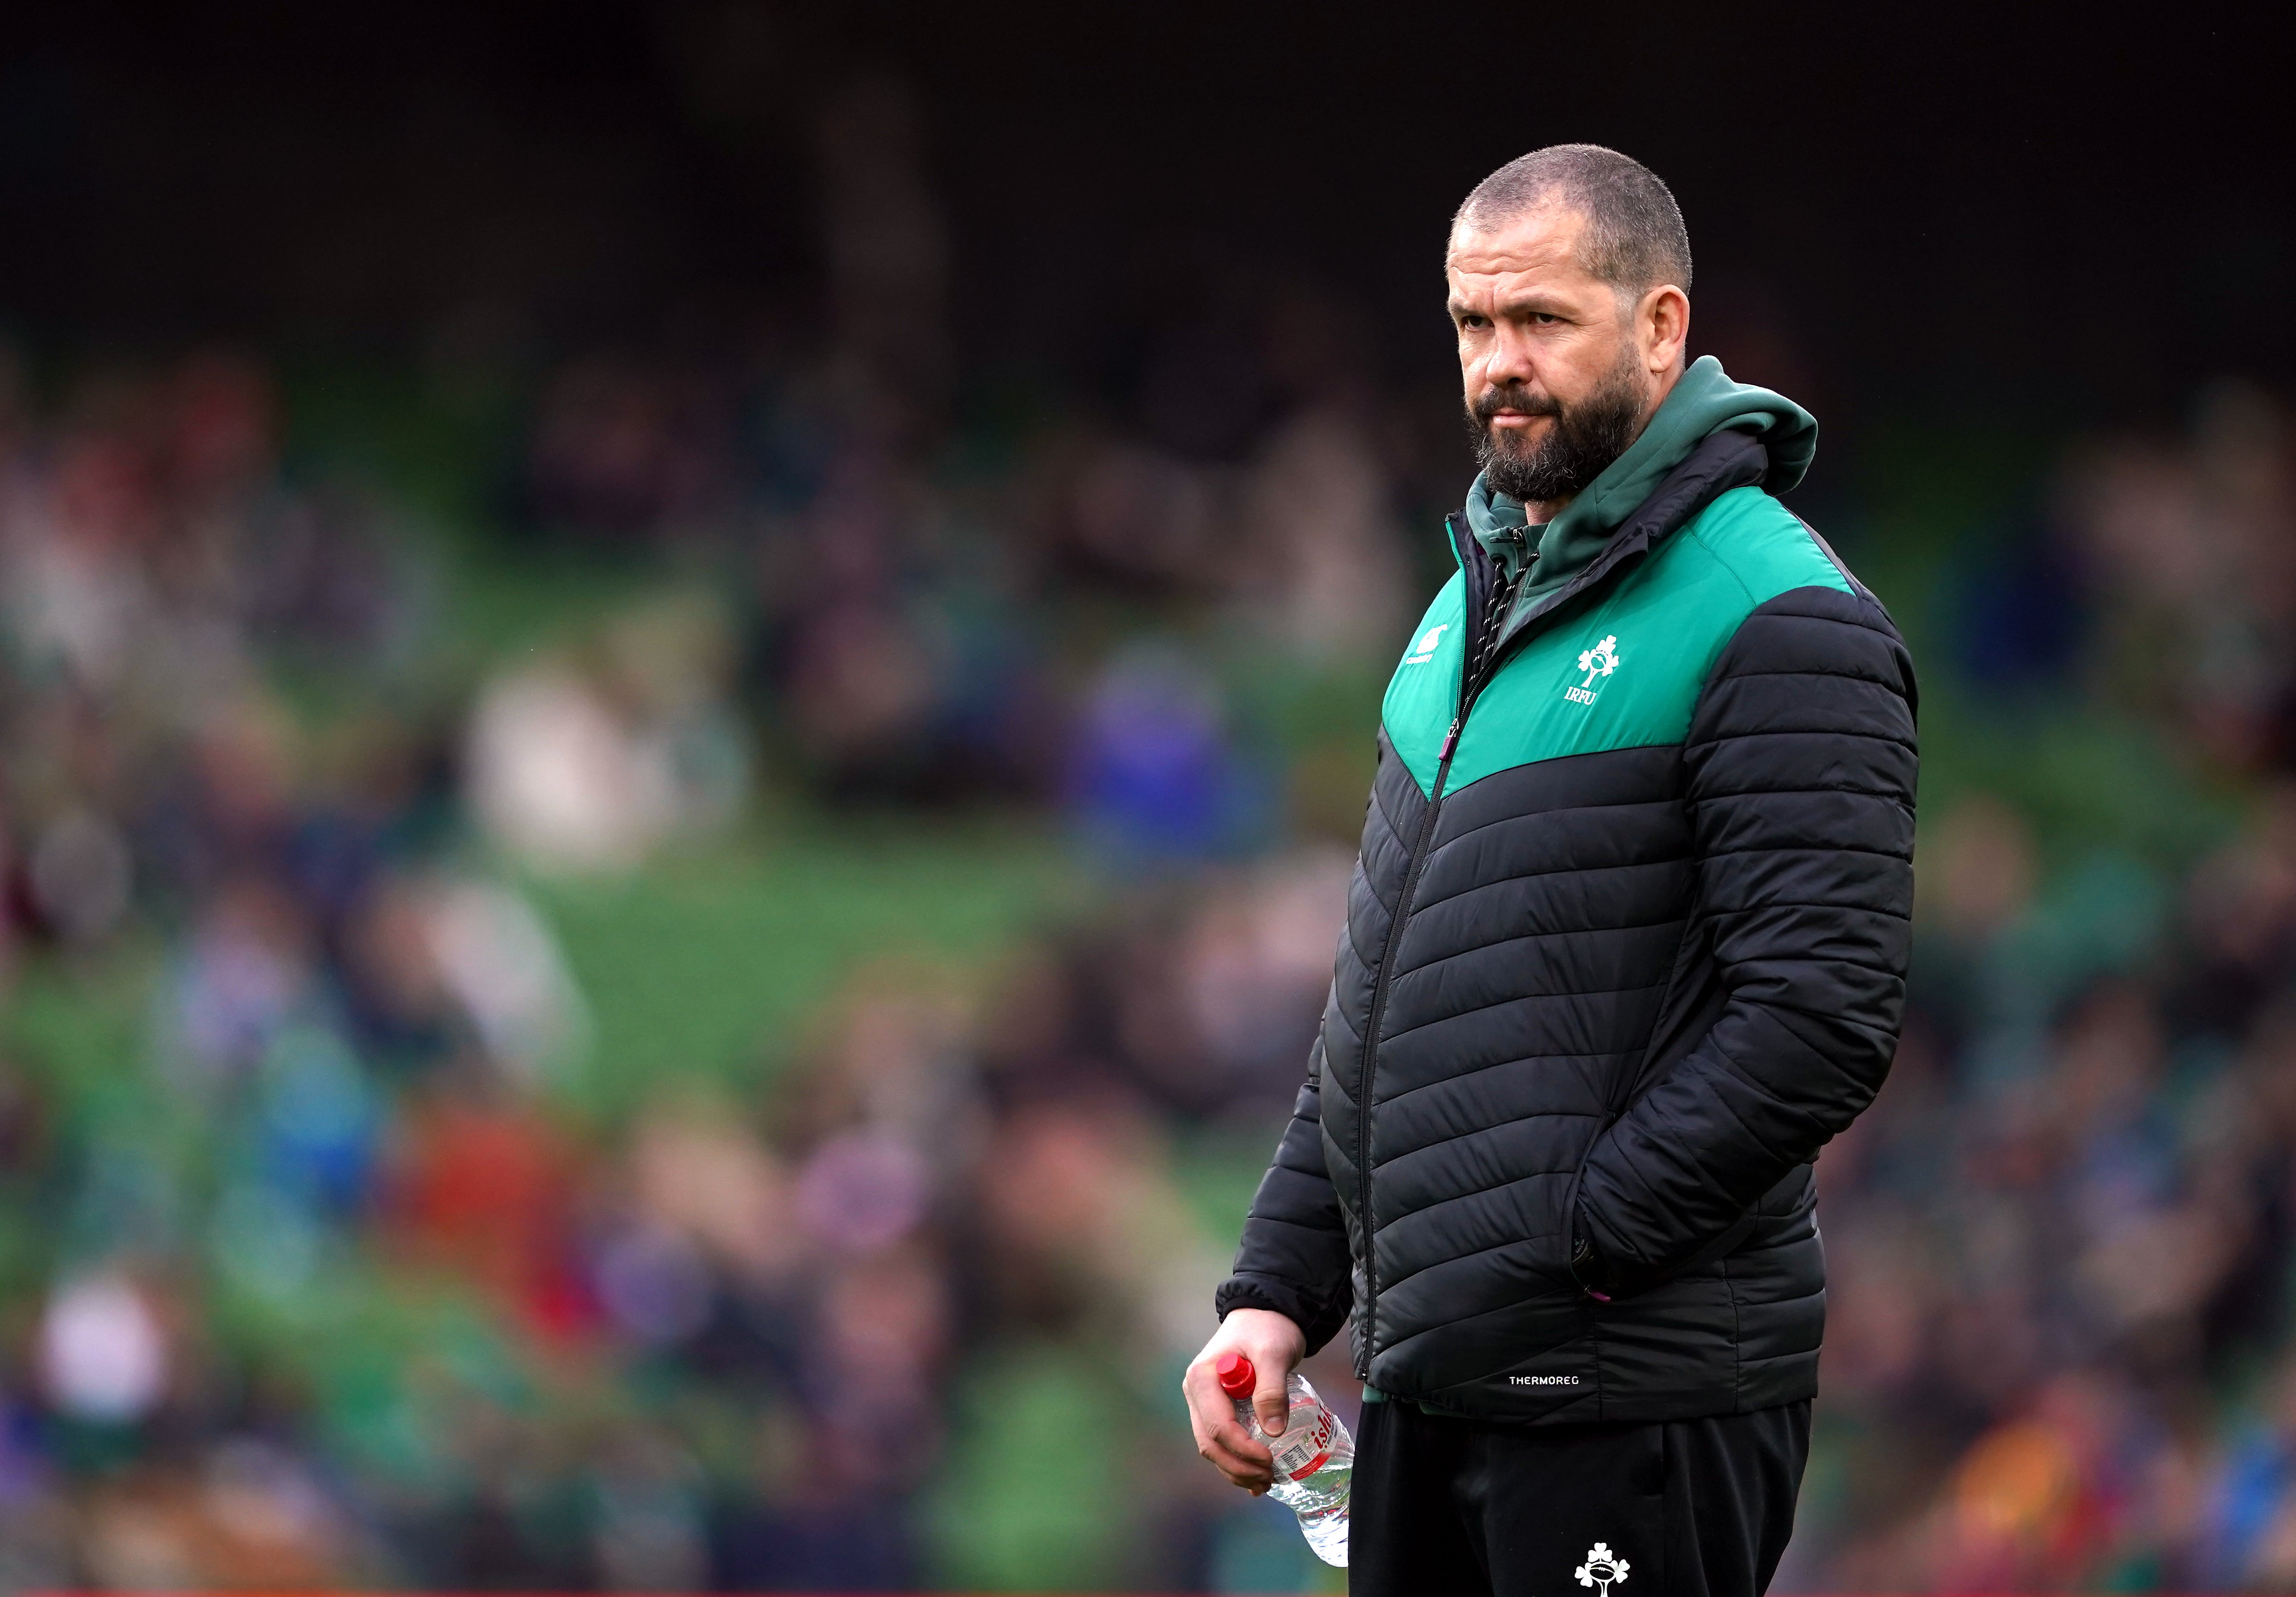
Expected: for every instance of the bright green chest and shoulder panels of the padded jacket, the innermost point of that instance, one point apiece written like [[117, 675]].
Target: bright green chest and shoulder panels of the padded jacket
[[1618, 674]]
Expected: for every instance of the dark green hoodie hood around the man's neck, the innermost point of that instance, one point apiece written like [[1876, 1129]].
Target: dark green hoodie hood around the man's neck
[[1705, 401]]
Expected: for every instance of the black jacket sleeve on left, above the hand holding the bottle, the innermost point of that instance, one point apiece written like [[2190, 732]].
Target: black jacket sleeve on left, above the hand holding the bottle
[[1294, 1258]]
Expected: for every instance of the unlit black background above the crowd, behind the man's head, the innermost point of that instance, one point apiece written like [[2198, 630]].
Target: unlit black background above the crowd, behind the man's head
[[2054, 213]]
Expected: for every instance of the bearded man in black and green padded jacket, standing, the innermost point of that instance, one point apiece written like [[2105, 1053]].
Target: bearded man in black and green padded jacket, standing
[[1624, 950]]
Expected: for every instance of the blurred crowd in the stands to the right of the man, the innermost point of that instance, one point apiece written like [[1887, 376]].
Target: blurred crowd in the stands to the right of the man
[[2061, 1322]]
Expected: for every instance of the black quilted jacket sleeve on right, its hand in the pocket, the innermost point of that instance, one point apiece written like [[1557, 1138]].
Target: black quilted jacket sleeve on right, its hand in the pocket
[[1801, 771]]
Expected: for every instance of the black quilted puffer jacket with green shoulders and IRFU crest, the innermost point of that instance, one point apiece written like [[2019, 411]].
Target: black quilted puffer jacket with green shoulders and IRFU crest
[[1627, 946]]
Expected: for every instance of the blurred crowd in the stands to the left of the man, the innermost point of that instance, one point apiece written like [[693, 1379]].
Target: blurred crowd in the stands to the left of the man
[[313, 1265]]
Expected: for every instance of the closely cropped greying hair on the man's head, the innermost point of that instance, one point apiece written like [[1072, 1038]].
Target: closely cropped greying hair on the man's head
[[1636, 236]]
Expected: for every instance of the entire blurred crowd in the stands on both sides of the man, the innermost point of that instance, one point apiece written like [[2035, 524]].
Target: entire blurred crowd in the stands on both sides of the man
[[316, 1270]]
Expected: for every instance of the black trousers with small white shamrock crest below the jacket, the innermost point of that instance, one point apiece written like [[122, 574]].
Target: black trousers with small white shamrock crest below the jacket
[[1459, 1509]]
